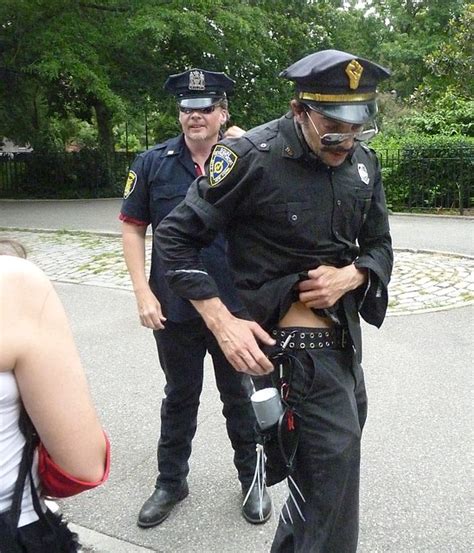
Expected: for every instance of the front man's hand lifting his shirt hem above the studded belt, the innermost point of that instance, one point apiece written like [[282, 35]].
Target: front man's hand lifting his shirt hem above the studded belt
[[326, 285]]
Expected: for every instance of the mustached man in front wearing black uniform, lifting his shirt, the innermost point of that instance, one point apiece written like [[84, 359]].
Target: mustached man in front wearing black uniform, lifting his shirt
[[302, 204]]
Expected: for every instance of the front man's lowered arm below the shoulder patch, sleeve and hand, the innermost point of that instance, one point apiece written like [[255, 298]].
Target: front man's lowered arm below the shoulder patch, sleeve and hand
[[178, 239]]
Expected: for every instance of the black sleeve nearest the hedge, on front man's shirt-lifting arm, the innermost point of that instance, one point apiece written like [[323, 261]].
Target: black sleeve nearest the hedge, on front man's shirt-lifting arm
[[376, 255]]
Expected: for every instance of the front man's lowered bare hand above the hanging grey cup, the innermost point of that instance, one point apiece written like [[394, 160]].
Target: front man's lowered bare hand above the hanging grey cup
[[236, 337]]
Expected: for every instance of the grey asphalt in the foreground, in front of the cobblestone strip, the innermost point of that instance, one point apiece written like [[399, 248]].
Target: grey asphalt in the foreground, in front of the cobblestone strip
[[417, 462]]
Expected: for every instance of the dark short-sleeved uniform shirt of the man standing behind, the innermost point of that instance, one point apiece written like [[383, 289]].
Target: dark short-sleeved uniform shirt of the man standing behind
[[163, 176]]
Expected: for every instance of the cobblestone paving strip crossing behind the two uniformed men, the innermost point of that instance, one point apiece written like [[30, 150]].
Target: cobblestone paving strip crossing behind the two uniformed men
[[422, 281]]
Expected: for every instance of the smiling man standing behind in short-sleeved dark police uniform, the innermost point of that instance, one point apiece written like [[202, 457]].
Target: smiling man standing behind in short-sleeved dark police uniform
[[157, 182]]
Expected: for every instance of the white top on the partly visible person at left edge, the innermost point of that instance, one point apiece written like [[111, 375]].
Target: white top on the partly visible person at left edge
[[11, 449]]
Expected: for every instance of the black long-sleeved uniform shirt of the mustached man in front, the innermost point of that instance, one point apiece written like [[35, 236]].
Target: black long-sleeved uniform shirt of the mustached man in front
[[283, 212]]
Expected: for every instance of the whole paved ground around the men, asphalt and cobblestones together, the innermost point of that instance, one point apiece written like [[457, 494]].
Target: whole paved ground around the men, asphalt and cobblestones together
[[417, 456]]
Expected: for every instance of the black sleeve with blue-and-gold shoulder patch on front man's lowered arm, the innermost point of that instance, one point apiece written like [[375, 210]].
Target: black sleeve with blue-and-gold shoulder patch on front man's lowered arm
[[194, 223]]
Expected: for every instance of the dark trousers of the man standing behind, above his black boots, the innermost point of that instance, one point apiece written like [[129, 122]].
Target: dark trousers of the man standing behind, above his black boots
[[181, 350]]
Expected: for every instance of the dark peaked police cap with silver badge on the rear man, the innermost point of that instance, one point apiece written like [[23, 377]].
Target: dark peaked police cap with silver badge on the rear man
[[198, 88]]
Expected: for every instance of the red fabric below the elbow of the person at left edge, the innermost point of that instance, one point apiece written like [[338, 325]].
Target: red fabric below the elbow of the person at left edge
[[55, 482]]
